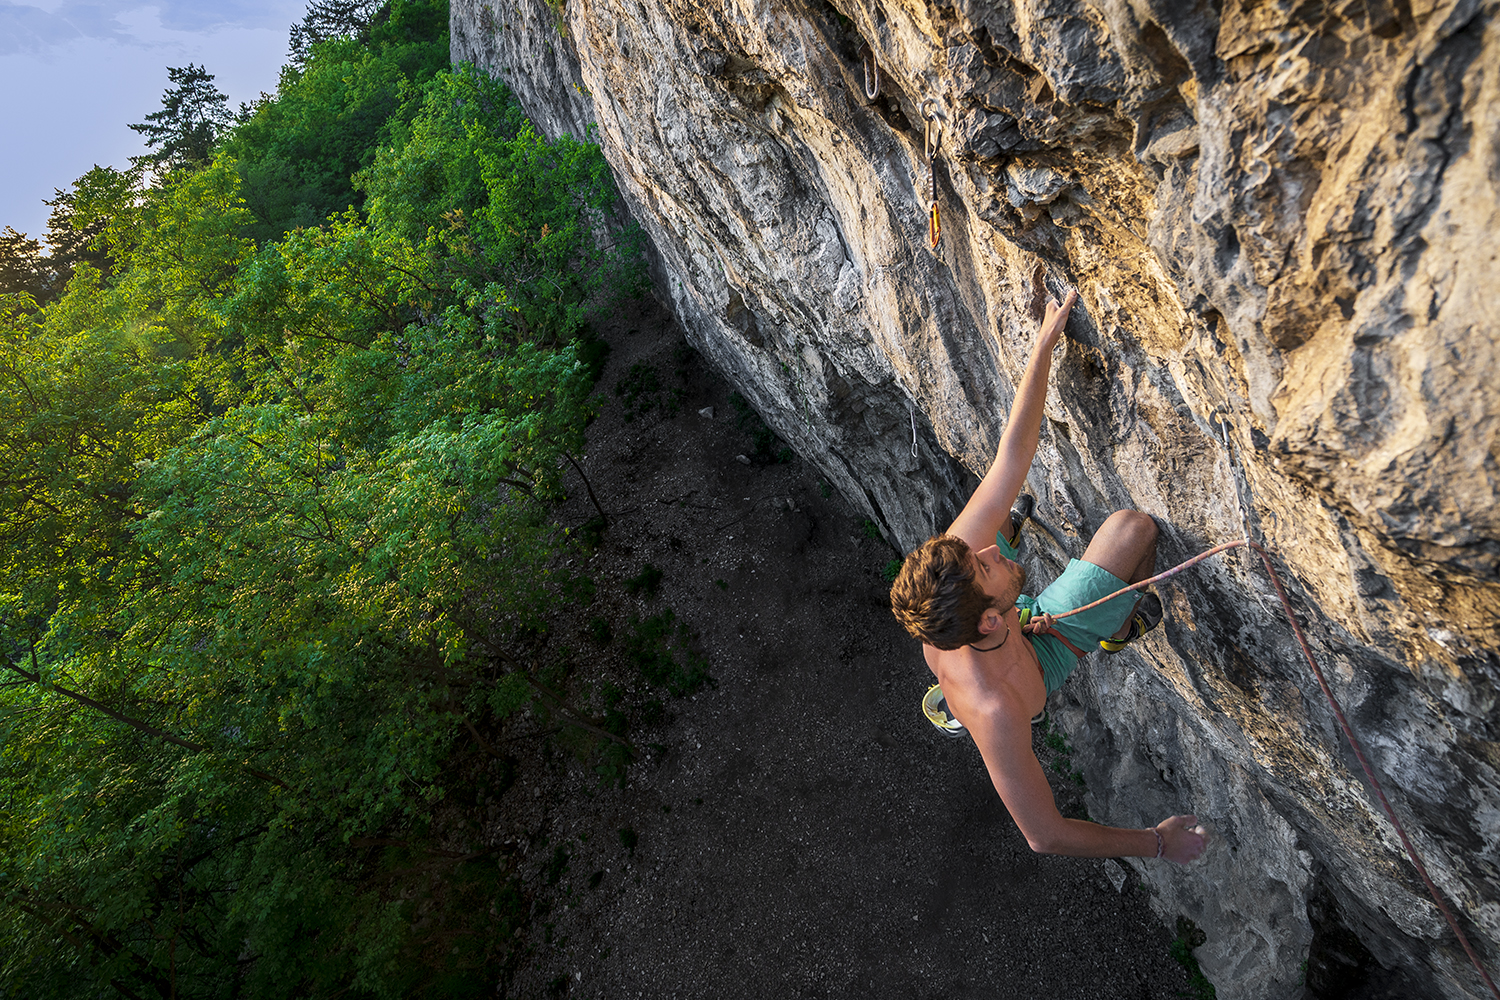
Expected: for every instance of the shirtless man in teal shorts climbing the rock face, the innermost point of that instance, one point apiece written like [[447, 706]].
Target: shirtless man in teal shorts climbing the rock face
[[998, 653]]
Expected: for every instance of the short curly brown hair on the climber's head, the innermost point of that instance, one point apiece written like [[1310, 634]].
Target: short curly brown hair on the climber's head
[[937, 597]]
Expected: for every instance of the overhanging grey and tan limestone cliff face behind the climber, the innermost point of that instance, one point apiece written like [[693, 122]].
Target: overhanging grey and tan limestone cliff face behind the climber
[[1282, 220]]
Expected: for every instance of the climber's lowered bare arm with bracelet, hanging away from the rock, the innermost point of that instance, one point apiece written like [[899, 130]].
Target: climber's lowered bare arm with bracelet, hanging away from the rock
[[1004, 740]]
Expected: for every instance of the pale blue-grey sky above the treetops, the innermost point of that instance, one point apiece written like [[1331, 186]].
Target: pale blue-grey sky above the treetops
[[76, 73]]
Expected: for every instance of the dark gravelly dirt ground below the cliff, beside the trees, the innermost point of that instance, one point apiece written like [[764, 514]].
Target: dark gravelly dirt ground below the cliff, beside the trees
[[797, 830]]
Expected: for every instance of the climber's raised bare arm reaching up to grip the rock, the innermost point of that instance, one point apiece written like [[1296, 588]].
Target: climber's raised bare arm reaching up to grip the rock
[[991, 507]]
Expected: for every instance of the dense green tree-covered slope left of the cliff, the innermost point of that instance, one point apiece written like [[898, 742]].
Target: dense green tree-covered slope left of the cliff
[[277, 530]]
